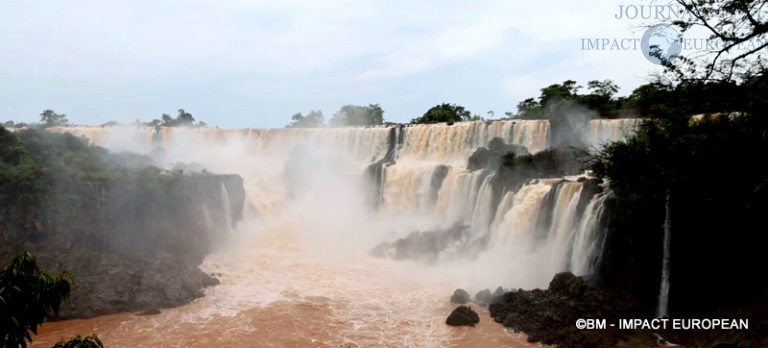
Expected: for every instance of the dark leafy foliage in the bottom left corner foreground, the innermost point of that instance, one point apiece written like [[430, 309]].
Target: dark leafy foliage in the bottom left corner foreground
[[27, 296]]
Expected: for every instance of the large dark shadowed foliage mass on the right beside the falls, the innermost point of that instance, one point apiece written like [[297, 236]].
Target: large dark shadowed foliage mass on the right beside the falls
[[714, 172]]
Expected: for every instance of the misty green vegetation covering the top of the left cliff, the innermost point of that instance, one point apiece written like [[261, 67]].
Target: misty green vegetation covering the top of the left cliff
[[50, 181]]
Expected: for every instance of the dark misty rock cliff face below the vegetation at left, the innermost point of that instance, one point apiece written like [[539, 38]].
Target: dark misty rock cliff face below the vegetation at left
[[117, 267]]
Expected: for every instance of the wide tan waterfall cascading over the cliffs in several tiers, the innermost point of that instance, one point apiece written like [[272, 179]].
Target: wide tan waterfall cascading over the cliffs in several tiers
[[423, 177]]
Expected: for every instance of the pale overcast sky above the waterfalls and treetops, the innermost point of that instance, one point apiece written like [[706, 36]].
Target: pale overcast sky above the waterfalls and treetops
[[255, 63]]
